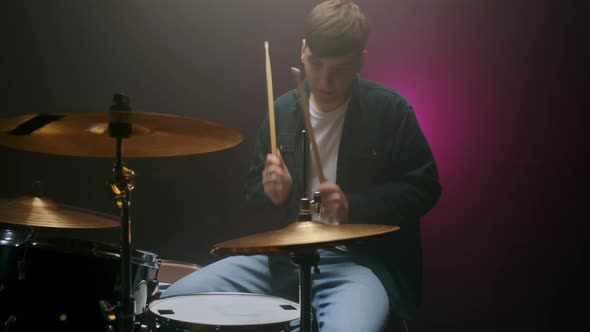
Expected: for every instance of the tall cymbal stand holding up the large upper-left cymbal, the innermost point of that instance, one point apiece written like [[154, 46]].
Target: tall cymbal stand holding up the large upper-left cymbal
[[122, 183]]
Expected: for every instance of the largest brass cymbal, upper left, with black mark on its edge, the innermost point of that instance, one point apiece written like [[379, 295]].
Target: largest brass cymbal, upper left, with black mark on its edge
[[86, 134]]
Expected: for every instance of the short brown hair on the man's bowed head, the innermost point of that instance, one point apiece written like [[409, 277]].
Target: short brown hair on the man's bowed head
[[336, 27]]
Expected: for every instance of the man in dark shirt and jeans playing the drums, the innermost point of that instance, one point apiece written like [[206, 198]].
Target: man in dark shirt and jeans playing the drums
[[379, 169]]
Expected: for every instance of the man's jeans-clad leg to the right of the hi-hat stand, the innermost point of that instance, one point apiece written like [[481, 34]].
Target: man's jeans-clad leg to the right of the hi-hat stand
[[348, 296]]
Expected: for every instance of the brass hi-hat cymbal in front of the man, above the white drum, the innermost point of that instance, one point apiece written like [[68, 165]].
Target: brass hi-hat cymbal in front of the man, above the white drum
[[300, 235]]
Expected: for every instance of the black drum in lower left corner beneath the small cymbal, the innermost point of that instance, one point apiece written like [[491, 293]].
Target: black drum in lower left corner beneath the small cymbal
[[58, 283]]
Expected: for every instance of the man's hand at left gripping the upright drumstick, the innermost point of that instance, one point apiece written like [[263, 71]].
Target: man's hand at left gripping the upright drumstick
[[276, 179]]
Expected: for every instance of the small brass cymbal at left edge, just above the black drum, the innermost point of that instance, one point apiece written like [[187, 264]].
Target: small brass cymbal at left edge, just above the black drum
[[42, 212]]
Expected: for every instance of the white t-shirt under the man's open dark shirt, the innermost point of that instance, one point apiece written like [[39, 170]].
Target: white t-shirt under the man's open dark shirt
[[327, 128]]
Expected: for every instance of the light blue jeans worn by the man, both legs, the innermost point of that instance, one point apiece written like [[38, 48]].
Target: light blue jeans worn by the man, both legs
[[346, 294]]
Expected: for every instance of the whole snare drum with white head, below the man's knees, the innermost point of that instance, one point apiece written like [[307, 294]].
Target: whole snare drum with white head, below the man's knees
[[224, 312]]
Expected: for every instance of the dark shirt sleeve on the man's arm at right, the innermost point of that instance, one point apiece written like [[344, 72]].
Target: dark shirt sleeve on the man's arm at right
[[412, 188]]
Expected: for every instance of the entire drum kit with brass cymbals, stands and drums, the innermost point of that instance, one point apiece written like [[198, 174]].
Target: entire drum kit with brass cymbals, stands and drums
[[65, 284]]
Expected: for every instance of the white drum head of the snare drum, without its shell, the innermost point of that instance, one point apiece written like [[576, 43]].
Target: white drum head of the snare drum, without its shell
[[226, 309]]
